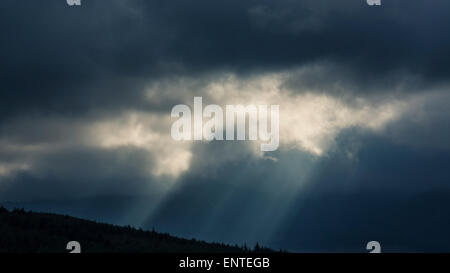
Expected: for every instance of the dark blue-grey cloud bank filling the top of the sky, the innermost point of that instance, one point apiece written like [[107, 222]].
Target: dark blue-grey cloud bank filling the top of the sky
[[56, 58]]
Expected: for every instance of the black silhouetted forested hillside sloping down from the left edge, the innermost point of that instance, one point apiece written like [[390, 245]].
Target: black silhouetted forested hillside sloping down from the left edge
[[22, 231]]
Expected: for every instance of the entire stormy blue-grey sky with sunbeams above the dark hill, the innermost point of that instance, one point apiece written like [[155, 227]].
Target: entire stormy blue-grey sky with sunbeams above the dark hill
[[87, 92]]
